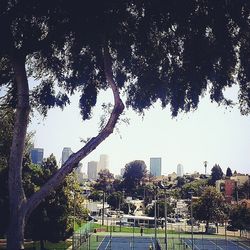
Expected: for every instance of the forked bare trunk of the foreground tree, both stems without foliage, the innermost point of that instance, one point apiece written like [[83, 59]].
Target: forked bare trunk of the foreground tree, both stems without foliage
[[20, 208]]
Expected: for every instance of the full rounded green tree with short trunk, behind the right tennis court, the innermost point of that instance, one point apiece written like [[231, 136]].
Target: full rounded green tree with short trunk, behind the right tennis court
[[210, 207]]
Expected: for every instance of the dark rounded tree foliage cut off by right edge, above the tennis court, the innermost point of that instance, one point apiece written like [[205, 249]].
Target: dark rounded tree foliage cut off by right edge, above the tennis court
[[240, 217]]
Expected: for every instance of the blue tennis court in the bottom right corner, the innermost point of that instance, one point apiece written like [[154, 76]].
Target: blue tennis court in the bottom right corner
[[219, 244]]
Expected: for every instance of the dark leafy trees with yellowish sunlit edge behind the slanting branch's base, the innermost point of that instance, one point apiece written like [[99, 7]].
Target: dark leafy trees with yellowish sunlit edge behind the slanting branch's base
[[53, 219]]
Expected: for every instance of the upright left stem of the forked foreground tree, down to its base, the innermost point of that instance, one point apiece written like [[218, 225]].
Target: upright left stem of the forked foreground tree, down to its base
[[17, 199]]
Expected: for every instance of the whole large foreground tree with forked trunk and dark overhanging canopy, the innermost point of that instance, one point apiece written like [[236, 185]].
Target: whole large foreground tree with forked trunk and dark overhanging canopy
[[153, 50]]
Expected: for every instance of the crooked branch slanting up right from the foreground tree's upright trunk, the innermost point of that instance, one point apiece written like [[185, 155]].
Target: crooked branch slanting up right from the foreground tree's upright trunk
[[75, 158]]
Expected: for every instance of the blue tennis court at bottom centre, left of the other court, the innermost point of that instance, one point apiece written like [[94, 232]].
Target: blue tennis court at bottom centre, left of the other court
[[125, 243]]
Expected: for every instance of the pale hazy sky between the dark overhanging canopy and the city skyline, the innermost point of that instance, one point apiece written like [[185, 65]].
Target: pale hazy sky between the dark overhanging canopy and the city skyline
[[211, 133]]
